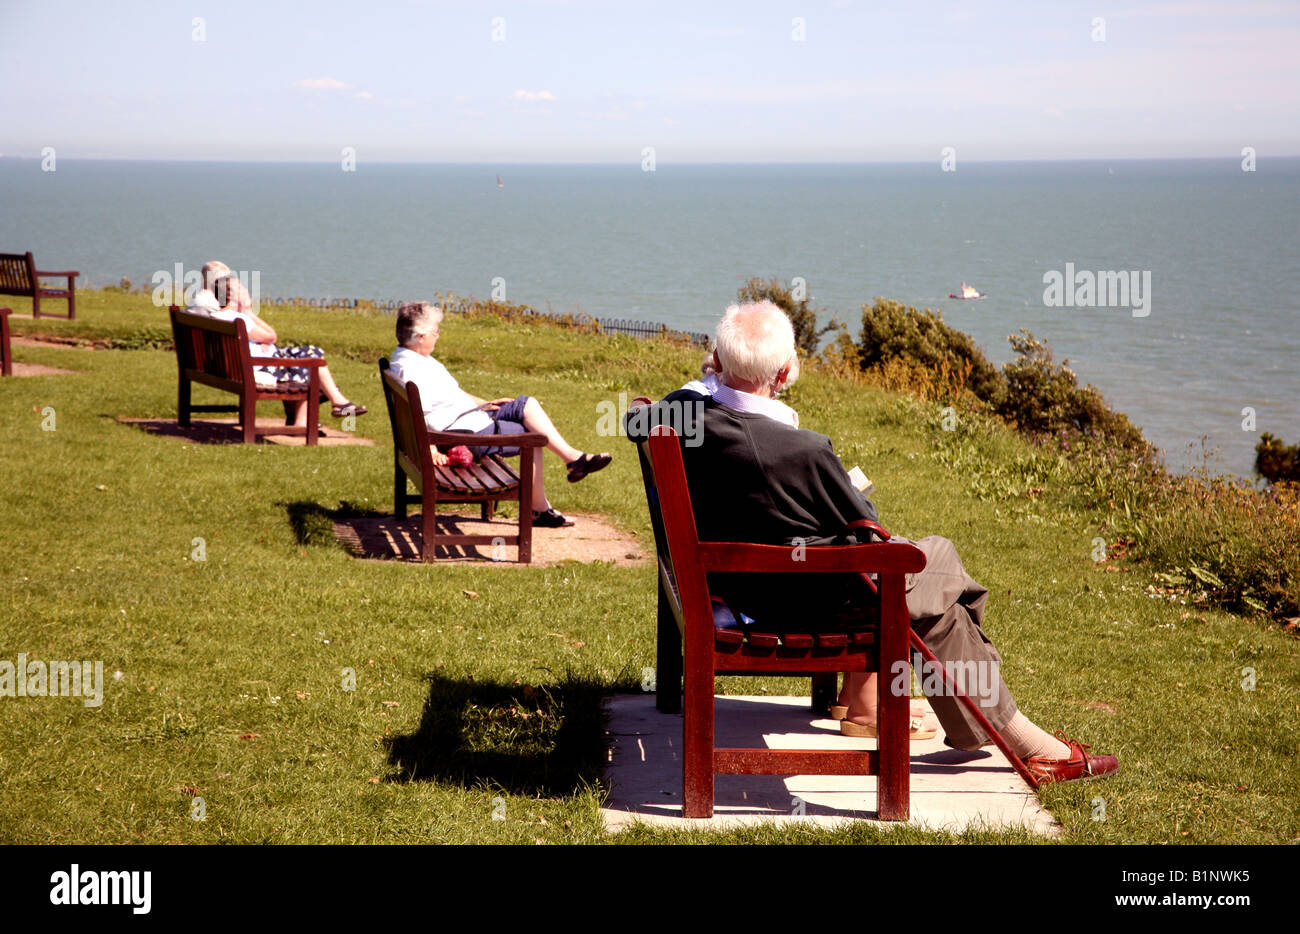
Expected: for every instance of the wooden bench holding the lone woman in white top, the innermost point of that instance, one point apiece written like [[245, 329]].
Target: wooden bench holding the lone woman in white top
[[486, 482]]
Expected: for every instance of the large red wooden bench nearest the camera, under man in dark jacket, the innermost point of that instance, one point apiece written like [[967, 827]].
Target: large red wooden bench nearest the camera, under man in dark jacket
[[772, 647]]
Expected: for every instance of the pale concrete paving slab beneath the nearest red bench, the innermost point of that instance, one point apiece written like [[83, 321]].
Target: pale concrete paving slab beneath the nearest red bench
[[951, 790]]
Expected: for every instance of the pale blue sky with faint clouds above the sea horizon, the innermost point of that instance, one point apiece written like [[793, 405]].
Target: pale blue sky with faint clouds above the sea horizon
[[795, 81]]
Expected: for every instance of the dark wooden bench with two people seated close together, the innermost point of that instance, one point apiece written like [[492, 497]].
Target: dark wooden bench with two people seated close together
[[216, 354]]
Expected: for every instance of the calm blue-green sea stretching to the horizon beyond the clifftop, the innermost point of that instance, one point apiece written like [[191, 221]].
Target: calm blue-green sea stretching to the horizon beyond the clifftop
[[674, 247]]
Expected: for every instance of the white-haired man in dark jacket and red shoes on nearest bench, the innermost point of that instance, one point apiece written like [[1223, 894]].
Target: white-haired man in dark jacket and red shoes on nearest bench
[[755, 477]]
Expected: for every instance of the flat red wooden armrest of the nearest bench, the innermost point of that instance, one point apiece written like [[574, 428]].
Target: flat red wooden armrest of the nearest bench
[[878, 557]]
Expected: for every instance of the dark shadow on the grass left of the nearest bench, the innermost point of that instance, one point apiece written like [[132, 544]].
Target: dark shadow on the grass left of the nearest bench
[[527, 741]]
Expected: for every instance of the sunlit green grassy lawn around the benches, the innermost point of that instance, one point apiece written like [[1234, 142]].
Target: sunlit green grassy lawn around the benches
[[233, 668]]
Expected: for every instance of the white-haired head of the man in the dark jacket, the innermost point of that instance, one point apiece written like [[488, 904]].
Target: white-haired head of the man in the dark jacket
[[756, 349]]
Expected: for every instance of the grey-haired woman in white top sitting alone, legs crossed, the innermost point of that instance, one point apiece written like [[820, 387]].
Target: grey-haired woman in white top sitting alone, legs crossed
[[448, 408]]
